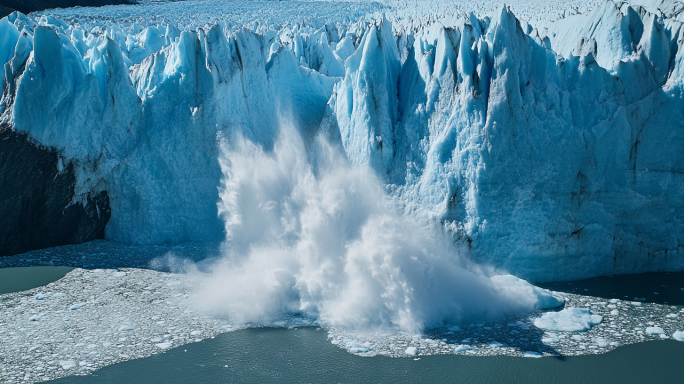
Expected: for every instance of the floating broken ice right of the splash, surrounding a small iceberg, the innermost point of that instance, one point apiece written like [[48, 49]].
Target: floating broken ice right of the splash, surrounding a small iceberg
[[518, 335]]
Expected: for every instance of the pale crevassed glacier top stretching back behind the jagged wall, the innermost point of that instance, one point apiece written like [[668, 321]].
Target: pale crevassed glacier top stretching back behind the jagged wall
[[261, 15]]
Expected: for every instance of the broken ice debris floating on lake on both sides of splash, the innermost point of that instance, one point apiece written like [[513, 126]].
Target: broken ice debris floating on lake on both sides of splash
[[95, 317]]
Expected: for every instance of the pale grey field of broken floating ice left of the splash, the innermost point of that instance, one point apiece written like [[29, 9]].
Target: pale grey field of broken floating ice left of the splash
[[93, 318]]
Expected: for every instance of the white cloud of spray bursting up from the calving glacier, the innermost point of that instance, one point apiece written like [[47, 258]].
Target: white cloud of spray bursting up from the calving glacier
[[309, 234]]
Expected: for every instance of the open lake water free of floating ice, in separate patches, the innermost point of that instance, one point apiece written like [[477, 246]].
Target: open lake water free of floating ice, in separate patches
[[306, 355]]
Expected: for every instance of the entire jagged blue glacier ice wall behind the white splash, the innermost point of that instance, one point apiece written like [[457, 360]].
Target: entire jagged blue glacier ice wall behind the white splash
[[551, 149]]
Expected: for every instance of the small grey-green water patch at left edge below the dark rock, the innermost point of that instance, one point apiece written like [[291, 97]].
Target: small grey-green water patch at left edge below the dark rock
[[23, 278]]
